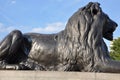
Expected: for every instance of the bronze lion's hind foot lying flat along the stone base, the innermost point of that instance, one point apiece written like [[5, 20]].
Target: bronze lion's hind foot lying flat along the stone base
[[25, 65]]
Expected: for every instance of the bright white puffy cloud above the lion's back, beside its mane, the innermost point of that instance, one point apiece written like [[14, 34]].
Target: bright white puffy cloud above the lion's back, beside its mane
[[50, 28]]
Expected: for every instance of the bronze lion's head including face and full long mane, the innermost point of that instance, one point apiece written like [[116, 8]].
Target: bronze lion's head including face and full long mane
[[84, 34]]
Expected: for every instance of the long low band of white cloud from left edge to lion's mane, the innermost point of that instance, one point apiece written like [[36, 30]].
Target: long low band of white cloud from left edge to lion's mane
[[49, 28]]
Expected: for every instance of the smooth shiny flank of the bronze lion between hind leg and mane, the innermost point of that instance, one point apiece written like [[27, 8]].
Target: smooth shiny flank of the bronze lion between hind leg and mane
[[44, 49]]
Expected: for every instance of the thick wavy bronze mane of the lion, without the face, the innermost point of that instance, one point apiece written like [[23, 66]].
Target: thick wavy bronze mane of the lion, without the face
[[83, 38]]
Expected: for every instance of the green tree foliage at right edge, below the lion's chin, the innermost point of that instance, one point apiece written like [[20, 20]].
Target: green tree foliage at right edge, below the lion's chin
[[115, 49]]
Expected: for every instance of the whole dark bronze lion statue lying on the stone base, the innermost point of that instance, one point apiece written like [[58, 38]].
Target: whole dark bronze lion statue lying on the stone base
[[80, 47]]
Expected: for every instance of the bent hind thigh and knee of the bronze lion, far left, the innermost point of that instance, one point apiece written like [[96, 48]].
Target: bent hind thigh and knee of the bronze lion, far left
[[10, 45]]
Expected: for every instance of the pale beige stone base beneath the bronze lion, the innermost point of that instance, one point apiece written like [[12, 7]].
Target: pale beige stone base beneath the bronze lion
[[49, 75]]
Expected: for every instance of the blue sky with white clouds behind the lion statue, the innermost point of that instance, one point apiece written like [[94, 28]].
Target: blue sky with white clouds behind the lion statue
[[48, 16]]
